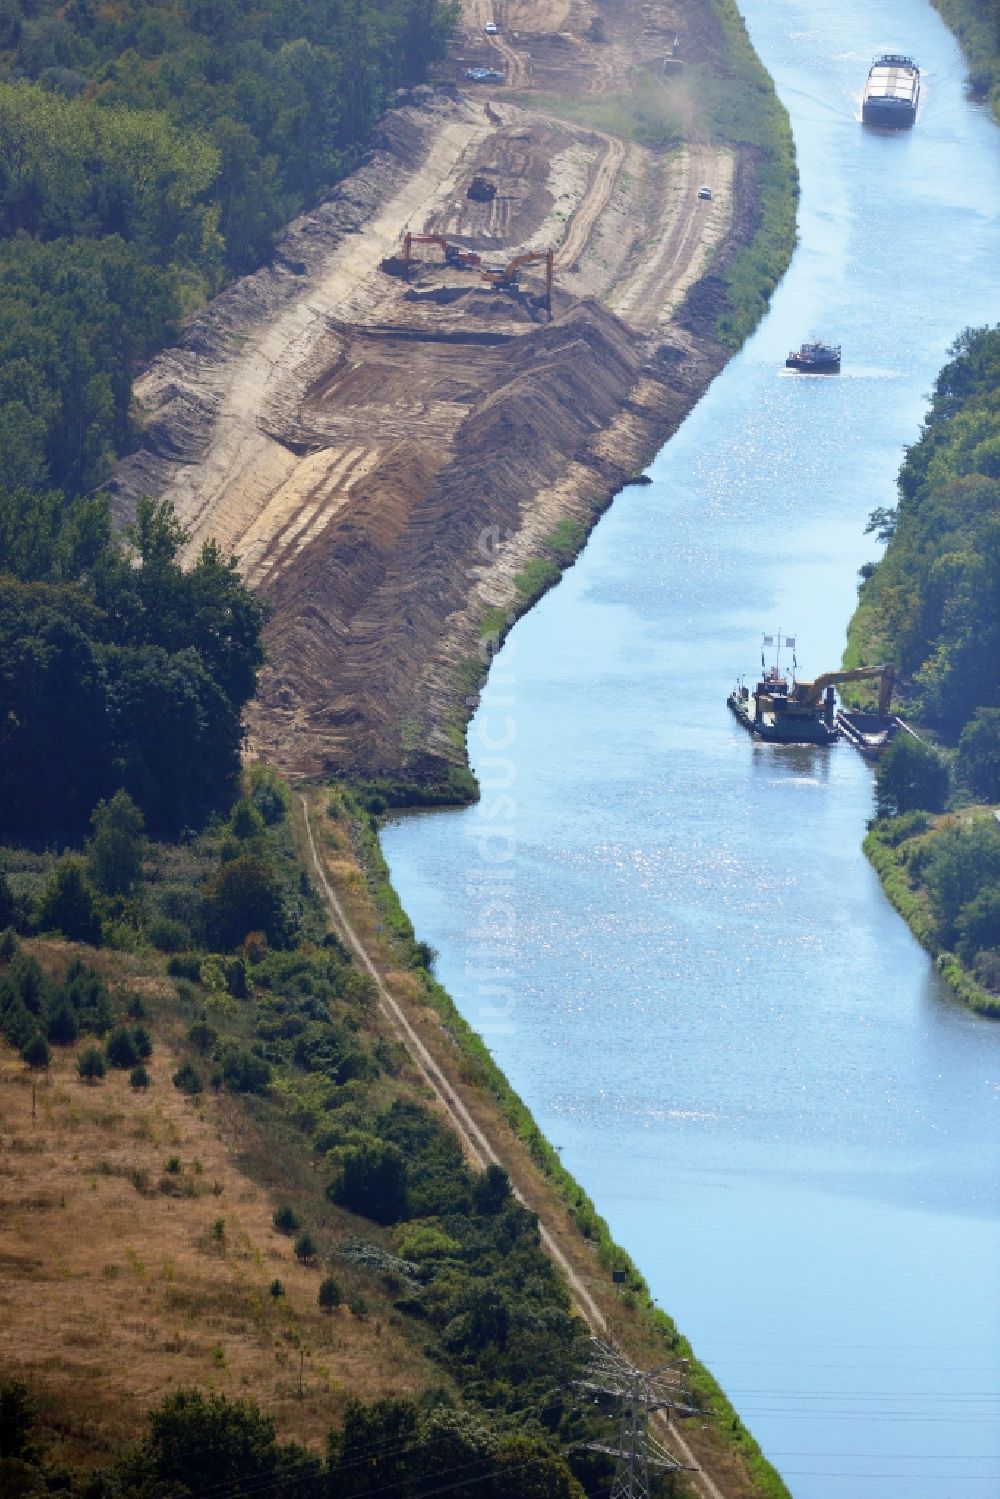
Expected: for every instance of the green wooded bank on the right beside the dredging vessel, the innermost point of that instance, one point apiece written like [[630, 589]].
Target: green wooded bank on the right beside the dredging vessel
[[930, 608]]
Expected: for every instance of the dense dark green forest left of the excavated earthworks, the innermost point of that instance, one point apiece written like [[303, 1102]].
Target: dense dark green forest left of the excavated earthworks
[[149, 152]]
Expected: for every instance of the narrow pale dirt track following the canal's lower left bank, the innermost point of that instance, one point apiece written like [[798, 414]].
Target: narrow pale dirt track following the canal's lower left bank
[[475, 1140]]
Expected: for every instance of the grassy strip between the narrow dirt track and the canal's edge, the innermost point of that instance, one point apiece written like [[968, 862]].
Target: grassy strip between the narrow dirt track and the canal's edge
[[647, 1333]]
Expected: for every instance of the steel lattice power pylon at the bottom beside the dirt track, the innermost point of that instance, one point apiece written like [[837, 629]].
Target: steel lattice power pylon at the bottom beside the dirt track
[[638, 1393]]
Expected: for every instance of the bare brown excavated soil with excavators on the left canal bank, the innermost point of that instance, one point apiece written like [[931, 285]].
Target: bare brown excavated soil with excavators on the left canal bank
[[386, 446]]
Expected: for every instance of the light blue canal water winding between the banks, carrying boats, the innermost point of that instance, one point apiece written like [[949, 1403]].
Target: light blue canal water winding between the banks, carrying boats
[[668, 933]]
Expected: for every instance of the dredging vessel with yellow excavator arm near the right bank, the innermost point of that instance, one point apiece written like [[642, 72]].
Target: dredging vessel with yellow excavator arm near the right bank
[[788, 711]]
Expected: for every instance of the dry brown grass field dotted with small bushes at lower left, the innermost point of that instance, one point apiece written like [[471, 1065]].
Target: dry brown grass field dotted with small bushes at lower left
[[137, 1257]]
